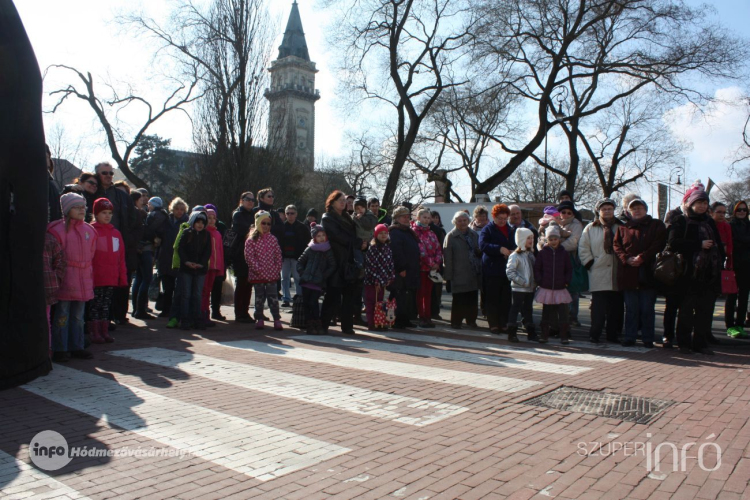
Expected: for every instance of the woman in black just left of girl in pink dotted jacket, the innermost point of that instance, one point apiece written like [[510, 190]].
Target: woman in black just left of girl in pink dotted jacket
[[242, 220]]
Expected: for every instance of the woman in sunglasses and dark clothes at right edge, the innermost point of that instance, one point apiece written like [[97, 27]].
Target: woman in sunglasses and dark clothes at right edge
[[741, 263]]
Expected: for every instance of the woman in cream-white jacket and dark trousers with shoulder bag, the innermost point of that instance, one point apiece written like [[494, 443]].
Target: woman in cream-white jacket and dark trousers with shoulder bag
[[598, 257]]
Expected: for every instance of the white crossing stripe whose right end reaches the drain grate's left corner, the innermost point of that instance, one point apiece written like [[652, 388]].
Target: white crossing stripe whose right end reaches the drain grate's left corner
[[408, 370]]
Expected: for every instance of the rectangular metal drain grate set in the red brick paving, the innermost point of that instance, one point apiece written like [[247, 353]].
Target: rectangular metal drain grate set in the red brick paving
[[605, 404]]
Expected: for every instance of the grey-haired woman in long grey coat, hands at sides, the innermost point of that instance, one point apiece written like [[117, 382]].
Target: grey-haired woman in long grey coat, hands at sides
[[463, 269]]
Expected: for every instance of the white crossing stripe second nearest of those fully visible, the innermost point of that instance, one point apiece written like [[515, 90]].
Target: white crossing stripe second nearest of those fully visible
[[404, 409]]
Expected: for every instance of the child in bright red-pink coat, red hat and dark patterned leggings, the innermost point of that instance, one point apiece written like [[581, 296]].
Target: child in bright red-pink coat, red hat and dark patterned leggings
[[109, 270]]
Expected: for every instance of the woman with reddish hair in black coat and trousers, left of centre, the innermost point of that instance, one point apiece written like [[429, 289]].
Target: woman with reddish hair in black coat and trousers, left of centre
[[341, 289]]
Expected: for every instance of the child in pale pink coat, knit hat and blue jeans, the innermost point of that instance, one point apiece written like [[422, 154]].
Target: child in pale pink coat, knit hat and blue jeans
[[78, 241]]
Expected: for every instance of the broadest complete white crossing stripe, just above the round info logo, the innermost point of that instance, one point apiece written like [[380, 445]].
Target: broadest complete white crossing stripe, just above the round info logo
[[247, 447]]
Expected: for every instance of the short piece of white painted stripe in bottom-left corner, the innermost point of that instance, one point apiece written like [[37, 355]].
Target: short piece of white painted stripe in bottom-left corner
[[21, 480]]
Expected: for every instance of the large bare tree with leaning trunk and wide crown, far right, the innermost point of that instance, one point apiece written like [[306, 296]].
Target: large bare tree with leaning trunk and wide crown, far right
[[589, 46]]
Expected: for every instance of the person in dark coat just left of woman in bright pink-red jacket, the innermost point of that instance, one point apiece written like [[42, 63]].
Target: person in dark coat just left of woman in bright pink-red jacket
[[406, 259]]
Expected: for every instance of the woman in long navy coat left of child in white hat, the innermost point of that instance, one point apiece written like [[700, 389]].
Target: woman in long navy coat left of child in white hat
[[497, 241]]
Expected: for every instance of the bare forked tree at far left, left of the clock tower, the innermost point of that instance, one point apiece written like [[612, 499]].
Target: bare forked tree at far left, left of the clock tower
[[120, 143]]
